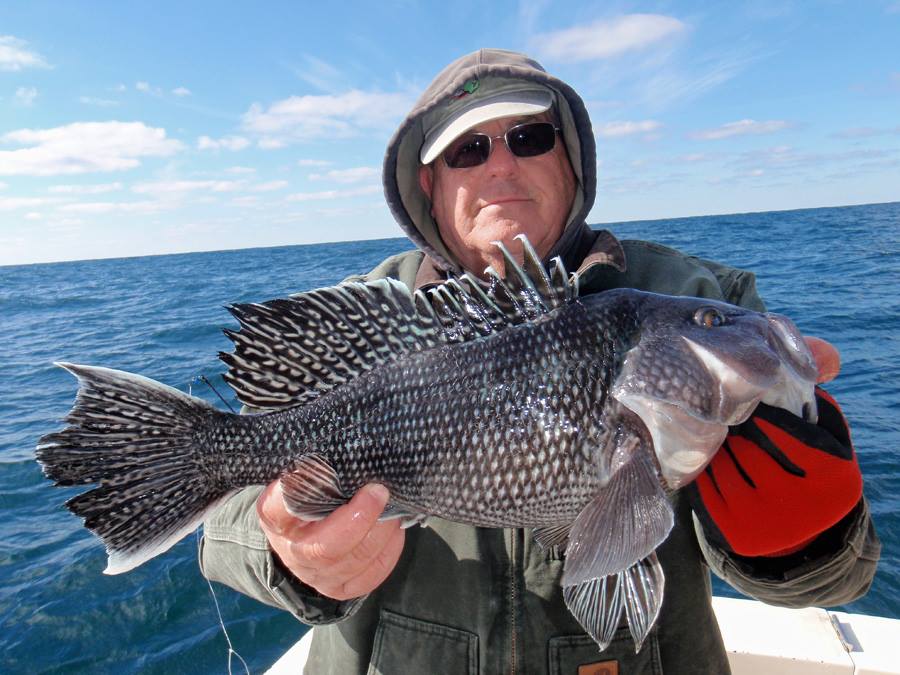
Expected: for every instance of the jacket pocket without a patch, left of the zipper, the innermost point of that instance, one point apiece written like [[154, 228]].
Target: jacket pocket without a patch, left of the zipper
[[405, 645]]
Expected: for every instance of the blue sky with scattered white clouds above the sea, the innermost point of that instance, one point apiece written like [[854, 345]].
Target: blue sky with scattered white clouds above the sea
[[138, 128]]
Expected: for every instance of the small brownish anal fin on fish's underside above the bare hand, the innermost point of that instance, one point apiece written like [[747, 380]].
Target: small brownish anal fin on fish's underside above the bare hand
[[312, 490]]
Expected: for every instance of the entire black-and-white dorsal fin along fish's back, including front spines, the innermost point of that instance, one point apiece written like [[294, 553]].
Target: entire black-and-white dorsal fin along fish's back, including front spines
[[290, 351]]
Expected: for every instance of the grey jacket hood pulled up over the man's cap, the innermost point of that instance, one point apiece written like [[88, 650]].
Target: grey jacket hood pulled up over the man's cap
[[486, 69]]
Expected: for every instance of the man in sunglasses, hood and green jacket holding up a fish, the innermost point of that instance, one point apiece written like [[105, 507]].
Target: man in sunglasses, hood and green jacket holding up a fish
[[494, 148]]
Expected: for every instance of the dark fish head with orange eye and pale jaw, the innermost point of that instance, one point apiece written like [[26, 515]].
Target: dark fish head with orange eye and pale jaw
[[694, 367]]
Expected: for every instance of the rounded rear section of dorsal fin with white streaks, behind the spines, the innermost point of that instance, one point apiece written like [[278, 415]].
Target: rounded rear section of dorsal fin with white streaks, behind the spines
[[290, 351]]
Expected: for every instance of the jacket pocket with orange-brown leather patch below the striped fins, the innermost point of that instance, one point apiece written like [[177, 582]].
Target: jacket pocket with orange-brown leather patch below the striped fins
[[569, 653]]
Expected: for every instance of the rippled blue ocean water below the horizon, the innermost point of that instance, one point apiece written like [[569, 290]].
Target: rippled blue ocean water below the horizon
[[835, 271]]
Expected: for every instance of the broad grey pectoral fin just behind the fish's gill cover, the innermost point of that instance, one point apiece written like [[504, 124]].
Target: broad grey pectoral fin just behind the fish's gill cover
[[624, 523]]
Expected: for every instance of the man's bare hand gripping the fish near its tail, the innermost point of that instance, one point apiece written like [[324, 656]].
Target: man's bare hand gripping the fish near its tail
[[344, 556]]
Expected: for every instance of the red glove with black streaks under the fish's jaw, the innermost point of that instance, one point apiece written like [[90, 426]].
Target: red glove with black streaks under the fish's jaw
[[778, 482]]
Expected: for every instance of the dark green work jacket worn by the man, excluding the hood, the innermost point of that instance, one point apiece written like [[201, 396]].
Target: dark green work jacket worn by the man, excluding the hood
[[476, 600]]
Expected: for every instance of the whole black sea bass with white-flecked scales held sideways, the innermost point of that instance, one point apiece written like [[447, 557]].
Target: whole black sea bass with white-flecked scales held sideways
[[518, 403]]
